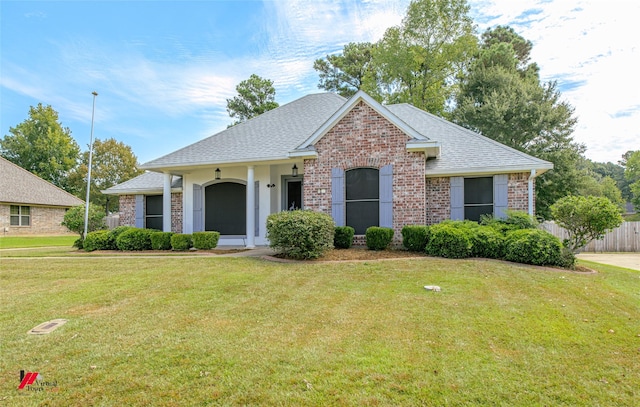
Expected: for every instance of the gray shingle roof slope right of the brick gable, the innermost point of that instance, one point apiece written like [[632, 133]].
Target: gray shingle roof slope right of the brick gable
[[464, 151]]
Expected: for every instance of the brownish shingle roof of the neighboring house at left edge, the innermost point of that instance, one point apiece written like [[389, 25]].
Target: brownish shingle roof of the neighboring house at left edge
[[19, 186]]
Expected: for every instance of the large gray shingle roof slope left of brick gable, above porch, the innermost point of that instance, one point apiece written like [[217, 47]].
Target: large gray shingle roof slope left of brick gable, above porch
[[270, 136]]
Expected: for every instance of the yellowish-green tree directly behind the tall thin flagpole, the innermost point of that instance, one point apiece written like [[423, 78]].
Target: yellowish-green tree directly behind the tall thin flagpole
[[113, 162]]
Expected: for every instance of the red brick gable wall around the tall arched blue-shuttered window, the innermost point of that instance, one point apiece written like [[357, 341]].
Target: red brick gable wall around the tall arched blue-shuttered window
[[363, 138]]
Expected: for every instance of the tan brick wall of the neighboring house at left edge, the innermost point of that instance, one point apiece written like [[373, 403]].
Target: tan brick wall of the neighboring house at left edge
[[44, 221]]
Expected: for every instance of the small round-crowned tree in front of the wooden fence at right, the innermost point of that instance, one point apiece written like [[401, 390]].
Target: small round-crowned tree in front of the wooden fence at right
[[585, 219]]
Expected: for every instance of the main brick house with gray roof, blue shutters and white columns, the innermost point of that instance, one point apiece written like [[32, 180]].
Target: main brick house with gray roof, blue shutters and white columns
[[363, 163]]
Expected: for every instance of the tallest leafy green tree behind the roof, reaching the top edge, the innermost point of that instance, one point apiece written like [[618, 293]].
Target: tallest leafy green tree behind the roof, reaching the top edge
[[420, 61]]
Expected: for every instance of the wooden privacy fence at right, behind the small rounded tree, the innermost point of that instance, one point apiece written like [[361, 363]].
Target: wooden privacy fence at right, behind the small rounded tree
[[626, 238]]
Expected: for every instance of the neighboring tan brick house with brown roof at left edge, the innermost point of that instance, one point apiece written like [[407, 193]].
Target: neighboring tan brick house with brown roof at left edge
[[30, 205]]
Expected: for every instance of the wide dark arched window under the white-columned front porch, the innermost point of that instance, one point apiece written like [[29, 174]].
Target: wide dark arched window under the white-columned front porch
[[225, 208]]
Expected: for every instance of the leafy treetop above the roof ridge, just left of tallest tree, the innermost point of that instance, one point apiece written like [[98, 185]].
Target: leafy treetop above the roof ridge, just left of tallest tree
[[345, 73]]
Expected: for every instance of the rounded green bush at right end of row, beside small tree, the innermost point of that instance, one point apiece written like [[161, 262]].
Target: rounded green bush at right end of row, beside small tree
[[533, 246]]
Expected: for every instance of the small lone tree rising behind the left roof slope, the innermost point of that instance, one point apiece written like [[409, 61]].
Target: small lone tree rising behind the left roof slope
[[255, 96]]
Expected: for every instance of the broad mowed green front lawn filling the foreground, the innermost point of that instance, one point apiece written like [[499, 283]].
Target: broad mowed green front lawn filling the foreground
[[241, 331]]
